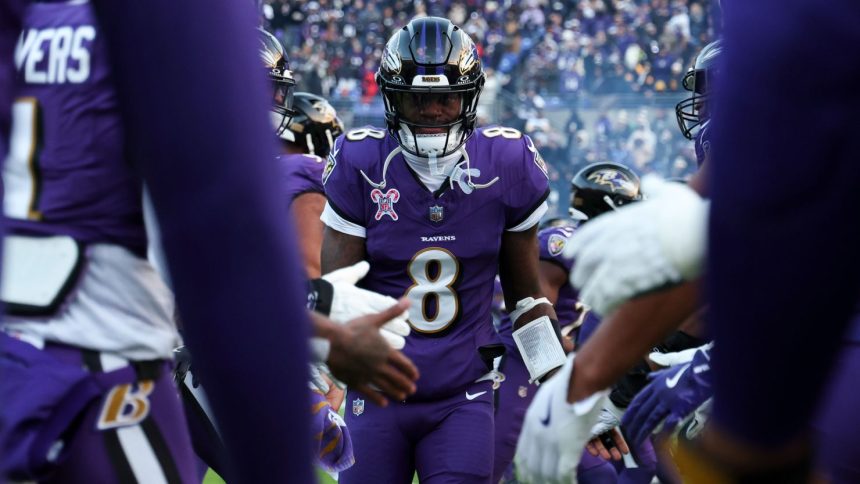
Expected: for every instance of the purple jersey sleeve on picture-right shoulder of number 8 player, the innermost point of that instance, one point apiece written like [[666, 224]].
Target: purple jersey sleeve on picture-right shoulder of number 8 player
[[529, 185]]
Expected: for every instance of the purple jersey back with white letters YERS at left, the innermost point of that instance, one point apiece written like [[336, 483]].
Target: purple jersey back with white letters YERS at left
[[66, 172]]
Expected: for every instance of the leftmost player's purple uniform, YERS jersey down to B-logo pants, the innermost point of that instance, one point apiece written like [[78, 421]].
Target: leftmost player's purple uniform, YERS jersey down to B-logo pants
[[88, 387]]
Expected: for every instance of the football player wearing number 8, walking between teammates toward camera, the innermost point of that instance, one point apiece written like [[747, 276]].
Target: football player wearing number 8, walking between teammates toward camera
[[438, 206]]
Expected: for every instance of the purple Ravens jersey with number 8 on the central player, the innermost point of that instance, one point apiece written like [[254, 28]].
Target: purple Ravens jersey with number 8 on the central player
[[441, 249]]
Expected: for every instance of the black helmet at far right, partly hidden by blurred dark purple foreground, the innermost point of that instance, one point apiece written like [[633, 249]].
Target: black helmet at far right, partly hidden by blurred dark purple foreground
[[699, 80]]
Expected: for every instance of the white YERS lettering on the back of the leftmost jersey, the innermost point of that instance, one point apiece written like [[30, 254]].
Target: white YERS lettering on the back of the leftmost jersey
[[55, 55]]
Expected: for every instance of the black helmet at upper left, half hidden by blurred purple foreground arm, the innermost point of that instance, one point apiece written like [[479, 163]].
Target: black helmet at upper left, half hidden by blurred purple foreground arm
[[277, 67]]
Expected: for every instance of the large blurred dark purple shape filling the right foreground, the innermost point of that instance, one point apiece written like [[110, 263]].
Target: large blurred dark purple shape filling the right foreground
[[784, 271]]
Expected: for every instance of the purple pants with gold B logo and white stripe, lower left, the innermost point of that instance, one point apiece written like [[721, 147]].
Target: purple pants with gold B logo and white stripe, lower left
[[134, 432]]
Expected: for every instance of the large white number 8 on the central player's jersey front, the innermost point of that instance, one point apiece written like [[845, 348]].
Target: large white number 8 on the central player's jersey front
[[437, 286]]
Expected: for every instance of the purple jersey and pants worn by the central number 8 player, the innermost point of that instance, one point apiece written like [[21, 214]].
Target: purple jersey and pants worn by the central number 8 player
[[442, 250]]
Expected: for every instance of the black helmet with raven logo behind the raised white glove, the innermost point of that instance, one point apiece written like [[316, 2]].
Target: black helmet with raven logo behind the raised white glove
[[601, 187]]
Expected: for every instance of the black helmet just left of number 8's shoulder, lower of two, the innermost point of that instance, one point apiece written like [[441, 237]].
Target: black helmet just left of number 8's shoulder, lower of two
[[314, 126]]
